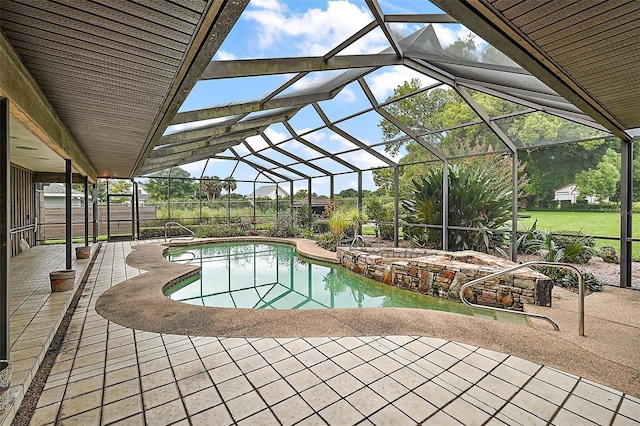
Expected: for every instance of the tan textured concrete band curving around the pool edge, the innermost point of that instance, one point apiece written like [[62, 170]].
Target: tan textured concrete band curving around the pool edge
[[139, 303]]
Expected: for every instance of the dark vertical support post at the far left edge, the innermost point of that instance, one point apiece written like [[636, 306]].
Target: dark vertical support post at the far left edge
[[5, 228]]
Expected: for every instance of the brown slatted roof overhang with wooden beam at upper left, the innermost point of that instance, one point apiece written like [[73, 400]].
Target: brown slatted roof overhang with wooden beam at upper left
[[98, 83]]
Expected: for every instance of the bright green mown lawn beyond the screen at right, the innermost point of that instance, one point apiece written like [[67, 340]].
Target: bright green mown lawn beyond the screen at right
[[589, 223]]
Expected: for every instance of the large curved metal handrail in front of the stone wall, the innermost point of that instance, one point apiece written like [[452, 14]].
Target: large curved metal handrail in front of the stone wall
[[530, 314]]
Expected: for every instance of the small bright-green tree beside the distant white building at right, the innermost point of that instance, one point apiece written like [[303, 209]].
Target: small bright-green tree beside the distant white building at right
[[602, 180]]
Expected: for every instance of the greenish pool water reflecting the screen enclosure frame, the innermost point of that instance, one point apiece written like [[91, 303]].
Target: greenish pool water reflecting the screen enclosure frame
[[273, 276]]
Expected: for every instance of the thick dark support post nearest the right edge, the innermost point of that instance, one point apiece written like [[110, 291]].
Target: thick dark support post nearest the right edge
[[626, 198]]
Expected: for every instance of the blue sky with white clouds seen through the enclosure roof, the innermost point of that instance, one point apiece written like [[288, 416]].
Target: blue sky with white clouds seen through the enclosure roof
[[275, 28]]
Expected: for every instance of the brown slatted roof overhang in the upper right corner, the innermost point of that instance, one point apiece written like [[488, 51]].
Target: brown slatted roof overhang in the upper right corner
[[586, 51]]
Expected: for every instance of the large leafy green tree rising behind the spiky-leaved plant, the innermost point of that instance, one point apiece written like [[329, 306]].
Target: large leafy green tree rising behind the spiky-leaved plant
[[428, 112]]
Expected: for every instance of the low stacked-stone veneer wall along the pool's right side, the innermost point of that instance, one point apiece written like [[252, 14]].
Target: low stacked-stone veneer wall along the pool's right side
[[441, 273]]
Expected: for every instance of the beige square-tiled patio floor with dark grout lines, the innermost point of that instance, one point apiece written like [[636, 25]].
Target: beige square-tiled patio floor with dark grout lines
[[109, 374]]
